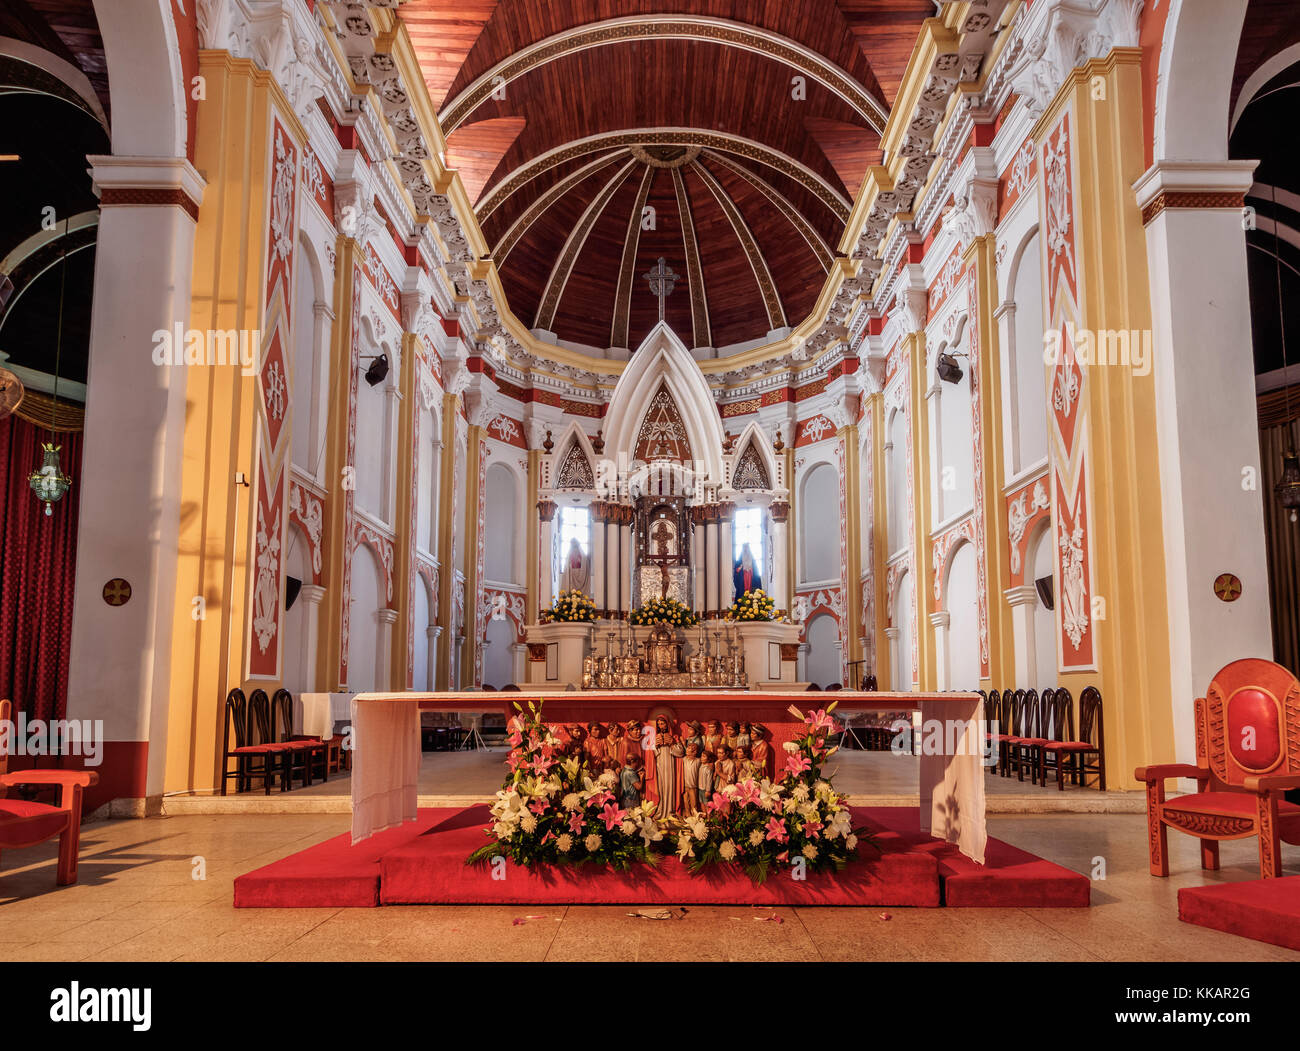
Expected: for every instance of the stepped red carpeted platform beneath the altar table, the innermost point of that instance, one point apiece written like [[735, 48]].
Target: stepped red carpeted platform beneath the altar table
[[423, 863]]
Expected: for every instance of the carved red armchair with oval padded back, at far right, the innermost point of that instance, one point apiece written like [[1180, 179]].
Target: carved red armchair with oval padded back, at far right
[[1247, 756]]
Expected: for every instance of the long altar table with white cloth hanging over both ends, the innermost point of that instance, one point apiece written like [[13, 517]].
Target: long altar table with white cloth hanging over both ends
[[387, 742]]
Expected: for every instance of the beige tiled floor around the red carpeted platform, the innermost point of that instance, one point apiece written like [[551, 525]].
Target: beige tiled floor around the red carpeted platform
[[138, 899]]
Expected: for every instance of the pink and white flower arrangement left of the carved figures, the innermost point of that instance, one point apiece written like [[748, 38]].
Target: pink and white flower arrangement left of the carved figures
[[551, 810]]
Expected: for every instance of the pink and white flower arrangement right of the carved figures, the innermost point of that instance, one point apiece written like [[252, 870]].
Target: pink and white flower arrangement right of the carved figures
[[764, 825]]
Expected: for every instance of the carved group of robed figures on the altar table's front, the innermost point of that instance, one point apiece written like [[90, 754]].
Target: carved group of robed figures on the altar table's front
[[677, 768]]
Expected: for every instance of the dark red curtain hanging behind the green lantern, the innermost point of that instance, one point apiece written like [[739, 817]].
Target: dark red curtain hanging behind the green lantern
[[38, 561]]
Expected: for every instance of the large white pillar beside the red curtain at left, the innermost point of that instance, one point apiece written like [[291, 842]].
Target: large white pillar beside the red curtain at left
[[132, 461]]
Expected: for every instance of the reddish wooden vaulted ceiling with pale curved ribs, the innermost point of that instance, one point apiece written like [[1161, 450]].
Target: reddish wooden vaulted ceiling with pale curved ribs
[[599, 136]]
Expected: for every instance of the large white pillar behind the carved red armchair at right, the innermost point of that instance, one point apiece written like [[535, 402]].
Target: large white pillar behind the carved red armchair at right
[[1202, 369]]
